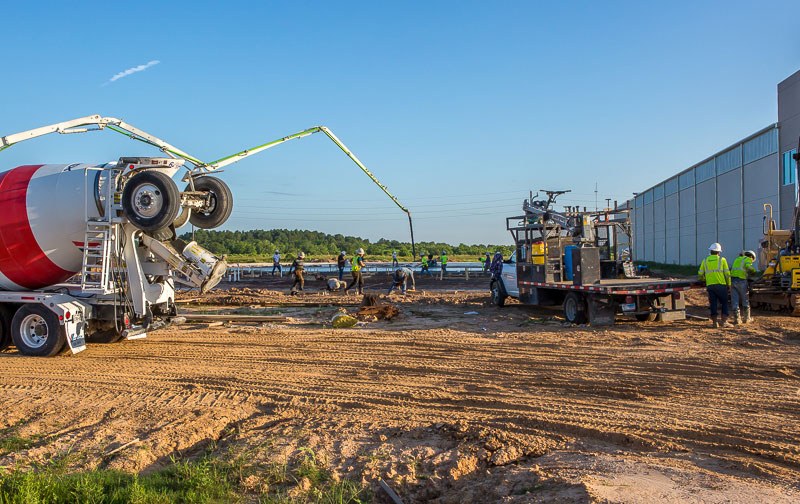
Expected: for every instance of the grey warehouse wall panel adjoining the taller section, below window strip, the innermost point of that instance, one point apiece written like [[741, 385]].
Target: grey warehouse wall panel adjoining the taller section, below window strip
[[761, 181]]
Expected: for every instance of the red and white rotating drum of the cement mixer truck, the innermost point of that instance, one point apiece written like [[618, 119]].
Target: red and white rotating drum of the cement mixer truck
[[42, 223]]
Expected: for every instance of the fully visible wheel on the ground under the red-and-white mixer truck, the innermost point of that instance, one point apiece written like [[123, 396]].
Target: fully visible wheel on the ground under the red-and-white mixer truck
[[36, 331]]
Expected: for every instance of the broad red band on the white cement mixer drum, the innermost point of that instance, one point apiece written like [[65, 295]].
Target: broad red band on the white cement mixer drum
[[22, 260]]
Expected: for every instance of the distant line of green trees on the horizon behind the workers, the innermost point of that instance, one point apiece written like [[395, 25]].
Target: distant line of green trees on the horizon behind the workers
[[264, 243]]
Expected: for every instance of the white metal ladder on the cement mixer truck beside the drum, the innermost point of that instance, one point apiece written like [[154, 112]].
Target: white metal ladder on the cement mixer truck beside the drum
[[96, 257]]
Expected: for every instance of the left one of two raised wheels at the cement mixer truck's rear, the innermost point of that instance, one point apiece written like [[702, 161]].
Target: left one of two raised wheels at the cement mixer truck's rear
[[150, 200]]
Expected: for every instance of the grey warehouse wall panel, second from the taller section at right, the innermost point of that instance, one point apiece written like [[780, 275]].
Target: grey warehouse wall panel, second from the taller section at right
[[729, 212]]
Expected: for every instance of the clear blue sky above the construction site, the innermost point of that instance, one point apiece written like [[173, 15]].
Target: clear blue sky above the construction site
[[458, 107]]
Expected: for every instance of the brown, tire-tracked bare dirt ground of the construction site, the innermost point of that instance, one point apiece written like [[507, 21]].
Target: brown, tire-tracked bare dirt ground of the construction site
[[454, 400]]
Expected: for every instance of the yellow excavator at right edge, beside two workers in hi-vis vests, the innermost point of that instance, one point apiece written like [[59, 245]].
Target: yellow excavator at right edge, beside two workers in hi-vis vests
[[778, 289]]
